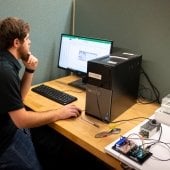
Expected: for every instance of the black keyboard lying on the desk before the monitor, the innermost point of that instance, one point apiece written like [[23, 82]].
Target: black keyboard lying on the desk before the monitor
[[54, 94]]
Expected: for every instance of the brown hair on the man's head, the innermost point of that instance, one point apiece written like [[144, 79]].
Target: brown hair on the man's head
[[10, 29]]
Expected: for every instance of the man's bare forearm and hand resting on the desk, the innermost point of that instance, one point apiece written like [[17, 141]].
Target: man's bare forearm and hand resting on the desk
[[29, 119]]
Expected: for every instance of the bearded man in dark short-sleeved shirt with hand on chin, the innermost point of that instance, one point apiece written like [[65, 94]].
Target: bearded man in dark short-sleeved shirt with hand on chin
[[16, 148]]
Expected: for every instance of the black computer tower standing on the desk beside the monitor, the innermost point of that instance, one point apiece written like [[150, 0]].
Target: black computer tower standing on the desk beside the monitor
[[112, 84]]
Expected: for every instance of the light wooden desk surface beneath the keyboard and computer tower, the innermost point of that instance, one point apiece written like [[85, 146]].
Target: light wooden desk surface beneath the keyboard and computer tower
[[82, 132]]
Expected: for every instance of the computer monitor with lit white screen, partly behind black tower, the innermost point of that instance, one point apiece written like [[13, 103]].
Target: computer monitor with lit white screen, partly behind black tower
[[75, 52]]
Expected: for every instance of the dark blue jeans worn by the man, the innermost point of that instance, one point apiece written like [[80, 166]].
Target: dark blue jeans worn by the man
[[20, 155]]
